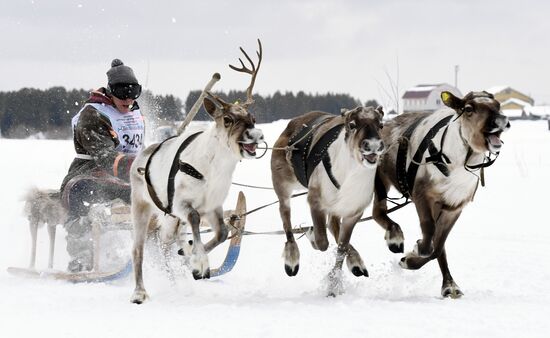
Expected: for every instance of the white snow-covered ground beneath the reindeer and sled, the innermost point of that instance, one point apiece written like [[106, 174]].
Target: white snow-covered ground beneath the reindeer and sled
[[498, 254]]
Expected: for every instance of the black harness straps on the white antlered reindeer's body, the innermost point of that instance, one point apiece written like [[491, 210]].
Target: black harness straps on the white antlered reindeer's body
[[177, 166]]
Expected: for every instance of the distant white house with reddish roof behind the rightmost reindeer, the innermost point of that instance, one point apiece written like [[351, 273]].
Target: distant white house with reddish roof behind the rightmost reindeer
[[426, 97]]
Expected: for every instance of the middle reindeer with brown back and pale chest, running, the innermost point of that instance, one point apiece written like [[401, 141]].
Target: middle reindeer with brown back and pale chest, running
[[339, 190]]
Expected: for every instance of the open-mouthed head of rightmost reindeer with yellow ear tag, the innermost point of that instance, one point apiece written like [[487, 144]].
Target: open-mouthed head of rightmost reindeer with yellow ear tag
[[482, 122]]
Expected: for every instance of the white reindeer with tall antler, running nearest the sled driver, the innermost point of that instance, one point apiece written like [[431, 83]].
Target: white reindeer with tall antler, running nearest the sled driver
[[199, 167]]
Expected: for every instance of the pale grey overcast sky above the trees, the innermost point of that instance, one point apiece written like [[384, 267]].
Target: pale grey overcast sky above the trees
[[315, 46]]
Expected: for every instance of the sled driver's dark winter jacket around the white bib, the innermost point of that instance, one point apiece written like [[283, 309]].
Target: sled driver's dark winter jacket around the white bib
[[96, 143]]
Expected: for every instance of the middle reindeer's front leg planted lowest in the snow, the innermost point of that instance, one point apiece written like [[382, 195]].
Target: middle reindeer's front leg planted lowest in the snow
[[335, 285]]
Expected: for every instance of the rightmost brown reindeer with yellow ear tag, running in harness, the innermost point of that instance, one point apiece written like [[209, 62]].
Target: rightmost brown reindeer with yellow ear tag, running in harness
[[433, 158]]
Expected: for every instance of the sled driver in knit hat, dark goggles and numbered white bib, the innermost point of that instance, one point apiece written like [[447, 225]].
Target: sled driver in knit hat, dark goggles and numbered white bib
[[107, 132]]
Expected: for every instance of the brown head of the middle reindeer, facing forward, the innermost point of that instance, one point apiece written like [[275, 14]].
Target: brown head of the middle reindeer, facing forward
[[363, 126]]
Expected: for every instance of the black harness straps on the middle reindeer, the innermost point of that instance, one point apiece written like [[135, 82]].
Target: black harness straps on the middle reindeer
[[305, 158]]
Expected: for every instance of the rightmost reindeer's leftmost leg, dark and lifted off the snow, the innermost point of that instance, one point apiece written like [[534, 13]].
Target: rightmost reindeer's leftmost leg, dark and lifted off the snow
[[394, 235]]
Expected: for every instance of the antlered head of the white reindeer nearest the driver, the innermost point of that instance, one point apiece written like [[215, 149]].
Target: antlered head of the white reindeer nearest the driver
[[233, 119]]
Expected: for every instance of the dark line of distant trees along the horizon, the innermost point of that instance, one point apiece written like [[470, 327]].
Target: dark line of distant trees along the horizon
[[30, 111]]
